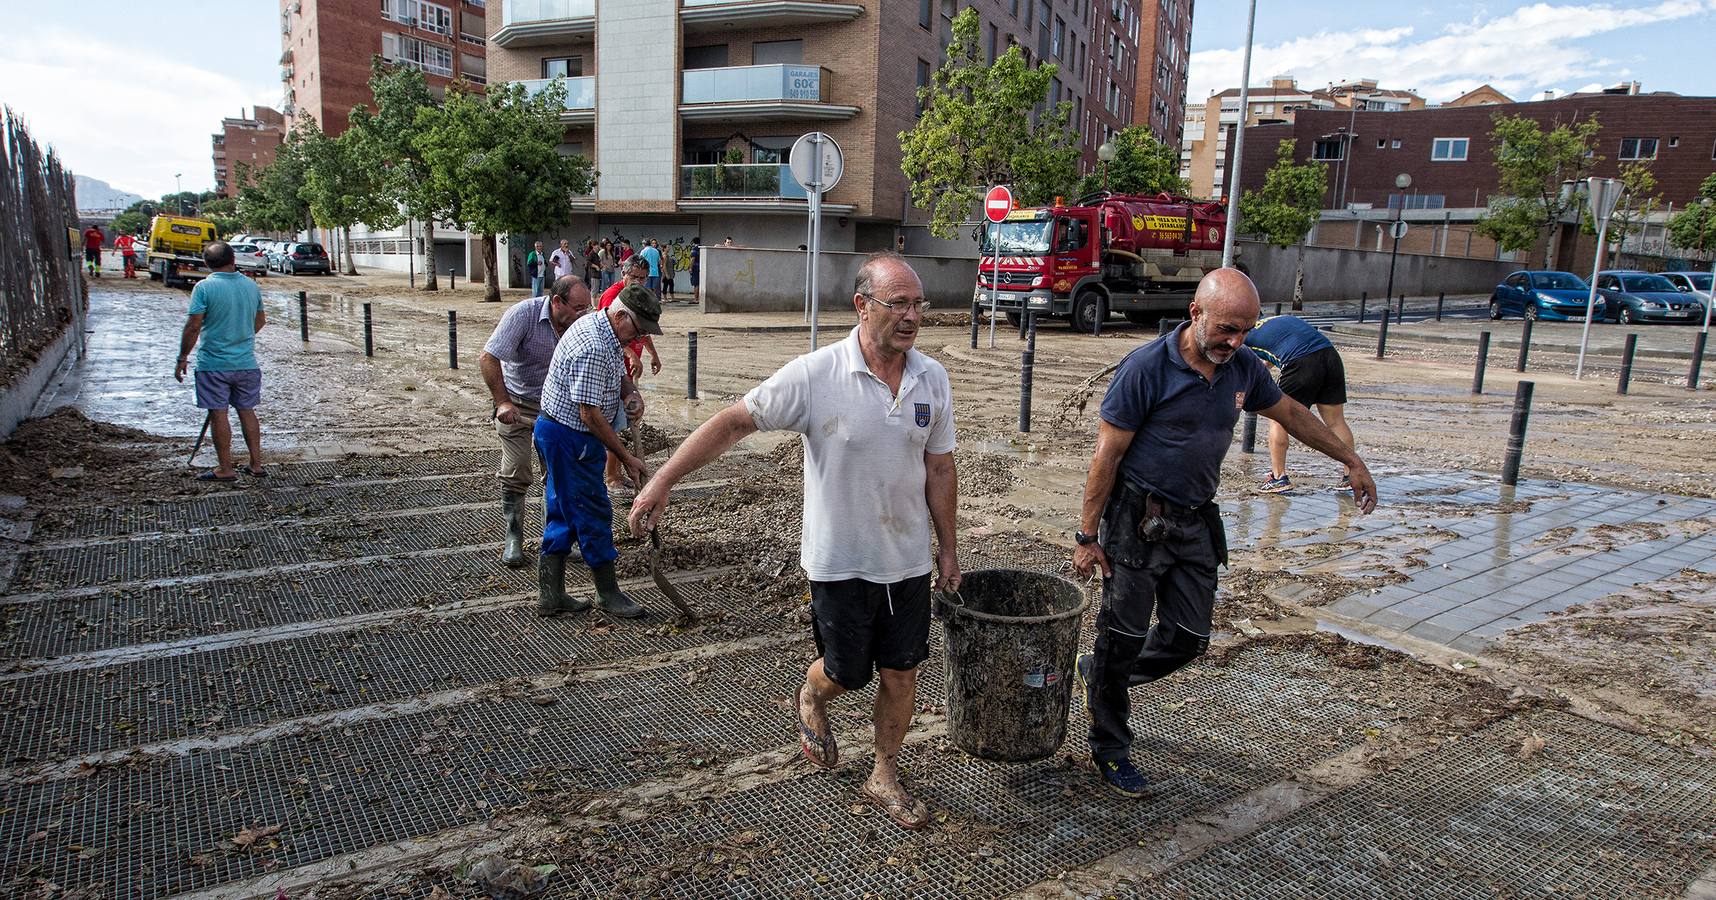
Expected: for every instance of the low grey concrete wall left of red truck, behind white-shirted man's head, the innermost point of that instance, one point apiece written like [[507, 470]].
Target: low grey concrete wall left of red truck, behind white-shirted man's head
[[758, 281]]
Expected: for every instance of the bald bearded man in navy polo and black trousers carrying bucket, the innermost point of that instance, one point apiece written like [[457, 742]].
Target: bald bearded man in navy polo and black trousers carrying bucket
[[1166, 425]]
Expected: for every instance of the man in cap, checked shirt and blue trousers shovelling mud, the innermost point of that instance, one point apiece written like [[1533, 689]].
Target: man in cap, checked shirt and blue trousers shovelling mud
[[586, 401]]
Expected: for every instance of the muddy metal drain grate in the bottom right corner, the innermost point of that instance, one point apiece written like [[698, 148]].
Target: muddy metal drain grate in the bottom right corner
[[1598, 813]]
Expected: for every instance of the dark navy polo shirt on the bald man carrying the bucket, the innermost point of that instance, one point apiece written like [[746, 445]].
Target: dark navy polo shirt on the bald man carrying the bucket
[[1181, 423]]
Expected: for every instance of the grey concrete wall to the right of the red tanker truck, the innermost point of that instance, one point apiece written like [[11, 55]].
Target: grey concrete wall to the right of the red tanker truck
[[1336, 274]]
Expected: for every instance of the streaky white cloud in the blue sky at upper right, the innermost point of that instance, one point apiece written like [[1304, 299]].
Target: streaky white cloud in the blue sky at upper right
[[1521, 54]]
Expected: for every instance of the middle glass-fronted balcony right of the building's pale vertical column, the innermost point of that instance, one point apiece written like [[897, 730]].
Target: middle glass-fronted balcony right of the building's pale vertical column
[[759, 94]]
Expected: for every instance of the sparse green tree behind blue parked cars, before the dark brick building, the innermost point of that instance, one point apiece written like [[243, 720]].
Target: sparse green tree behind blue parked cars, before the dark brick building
[[1532, 166]]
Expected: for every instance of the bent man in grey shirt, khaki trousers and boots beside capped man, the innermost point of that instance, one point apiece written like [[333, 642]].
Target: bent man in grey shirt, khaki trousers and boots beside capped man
[[514, 365]]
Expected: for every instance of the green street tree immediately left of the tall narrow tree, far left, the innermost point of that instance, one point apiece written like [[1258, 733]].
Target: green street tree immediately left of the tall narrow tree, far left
[[344, 185]]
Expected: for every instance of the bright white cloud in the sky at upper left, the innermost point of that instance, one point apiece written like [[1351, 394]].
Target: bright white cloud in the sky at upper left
[[124, 112]]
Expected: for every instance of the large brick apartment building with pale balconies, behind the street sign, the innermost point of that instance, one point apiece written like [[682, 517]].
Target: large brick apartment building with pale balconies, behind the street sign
[[689, 109]]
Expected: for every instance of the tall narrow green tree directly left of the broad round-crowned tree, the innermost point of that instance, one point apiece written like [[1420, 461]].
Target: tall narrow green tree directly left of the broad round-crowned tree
[[404, 109]]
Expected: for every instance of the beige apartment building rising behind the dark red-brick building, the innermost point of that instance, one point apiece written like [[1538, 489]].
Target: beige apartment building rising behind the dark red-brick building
[[1204, 147]]
